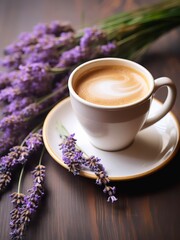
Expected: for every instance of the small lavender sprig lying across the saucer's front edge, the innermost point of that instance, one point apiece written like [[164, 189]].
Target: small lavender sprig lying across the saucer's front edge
[[75, 159]]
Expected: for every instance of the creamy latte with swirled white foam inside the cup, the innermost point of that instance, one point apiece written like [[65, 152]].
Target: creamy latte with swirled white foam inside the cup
[[112, 86]]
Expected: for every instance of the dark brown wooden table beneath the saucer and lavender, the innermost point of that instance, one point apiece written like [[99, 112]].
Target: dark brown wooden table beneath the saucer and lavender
[[74, 207]]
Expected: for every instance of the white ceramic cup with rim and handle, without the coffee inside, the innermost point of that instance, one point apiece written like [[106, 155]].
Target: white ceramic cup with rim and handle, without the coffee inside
[[113, 128]]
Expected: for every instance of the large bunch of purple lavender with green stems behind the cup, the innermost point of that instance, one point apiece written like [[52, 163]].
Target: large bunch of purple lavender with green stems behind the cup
[[36, 68]]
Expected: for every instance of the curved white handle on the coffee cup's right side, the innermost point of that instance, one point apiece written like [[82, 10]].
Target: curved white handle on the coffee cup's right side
[[169, 102]]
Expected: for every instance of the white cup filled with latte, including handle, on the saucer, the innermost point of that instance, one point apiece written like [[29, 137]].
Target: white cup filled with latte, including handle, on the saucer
[[112, 97]]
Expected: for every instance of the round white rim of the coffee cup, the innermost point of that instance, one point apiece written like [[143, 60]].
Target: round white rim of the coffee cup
[[125, 62]]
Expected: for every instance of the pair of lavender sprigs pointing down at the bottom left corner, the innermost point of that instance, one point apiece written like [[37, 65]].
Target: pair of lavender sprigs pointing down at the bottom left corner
[[25, 206]]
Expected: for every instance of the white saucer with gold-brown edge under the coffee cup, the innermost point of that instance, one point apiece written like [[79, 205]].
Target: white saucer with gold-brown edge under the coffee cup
[[152, 149]]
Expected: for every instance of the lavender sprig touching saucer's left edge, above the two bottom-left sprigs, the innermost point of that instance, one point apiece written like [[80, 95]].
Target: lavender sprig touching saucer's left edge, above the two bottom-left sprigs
[[18, 155]]
